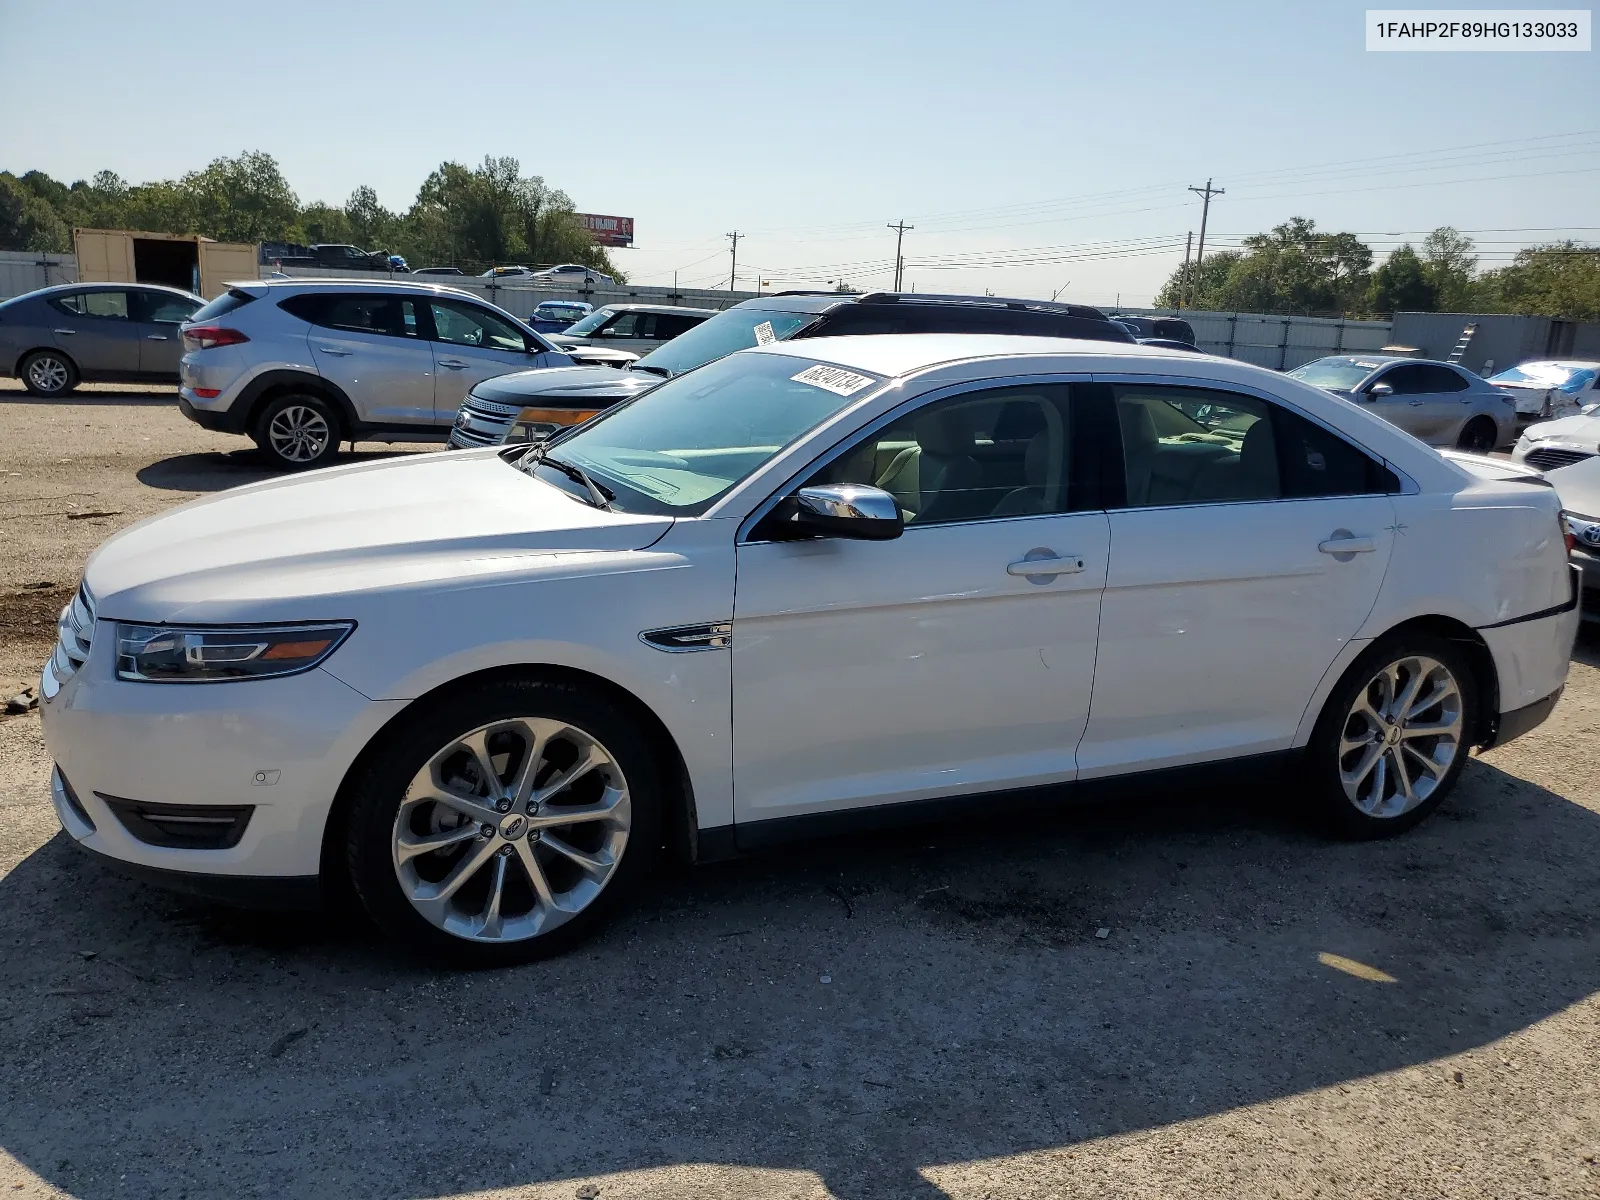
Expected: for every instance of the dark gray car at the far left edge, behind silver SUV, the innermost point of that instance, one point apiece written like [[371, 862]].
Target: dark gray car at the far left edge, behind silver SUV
[[116, 334]]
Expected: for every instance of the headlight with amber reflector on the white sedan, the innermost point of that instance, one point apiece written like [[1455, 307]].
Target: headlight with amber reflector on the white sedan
[[210, 655]]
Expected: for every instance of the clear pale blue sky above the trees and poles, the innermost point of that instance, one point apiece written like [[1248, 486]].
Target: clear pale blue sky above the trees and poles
[[1044, 146]]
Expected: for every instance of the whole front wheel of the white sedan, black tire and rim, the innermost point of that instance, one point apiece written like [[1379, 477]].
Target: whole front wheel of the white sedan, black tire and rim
[[506, 823]]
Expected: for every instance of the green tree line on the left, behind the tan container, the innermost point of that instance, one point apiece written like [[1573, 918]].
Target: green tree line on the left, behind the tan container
[[470, 218]]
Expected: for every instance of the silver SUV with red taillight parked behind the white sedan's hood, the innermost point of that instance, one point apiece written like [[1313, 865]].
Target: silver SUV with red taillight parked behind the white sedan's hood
[[303, 366]]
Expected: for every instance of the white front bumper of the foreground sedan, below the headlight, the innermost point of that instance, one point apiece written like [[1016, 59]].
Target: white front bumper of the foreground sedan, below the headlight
[[279, 748]]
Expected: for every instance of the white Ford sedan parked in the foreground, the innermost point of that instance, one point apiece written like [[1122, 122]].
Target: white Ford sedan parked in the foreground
[[804, 590]]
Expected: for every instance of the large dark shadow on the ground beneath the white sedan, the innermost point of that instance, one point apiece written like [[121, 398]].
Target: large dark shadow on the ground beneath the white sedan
[[860, 1010]]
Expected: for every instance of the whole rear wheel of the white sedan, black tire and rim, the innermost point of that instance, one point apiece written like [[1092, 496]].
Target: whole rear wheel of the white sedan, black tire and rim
[[1394, 737]]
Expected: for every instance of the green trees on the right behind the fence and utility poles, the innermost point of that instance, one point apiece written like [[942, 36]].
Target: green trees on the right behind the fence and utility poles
[[1297, 268]]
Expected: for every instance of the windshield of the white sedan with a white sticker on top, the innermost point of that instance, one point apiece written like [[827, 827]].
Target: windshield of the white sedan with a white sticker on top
[[682, 446]]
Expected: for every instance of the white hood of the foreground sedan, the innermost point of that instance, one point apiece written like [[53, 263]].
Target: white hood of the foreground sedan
[[300, 548]]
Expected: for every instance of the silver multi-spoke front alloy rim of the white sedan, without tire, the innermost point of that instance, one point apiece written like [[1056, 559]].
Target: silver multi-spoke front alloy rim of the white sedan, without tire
[[511, 830]]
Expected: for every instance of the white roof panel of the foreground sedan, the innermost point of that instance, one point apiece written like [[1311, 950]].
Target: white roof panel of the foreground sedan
[[900, 354]]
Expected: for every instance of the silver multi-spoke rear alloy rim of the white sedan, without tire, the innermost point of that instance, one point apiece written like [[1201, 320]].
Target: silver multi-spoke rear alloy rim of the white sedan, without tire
[[1401, 737]]
